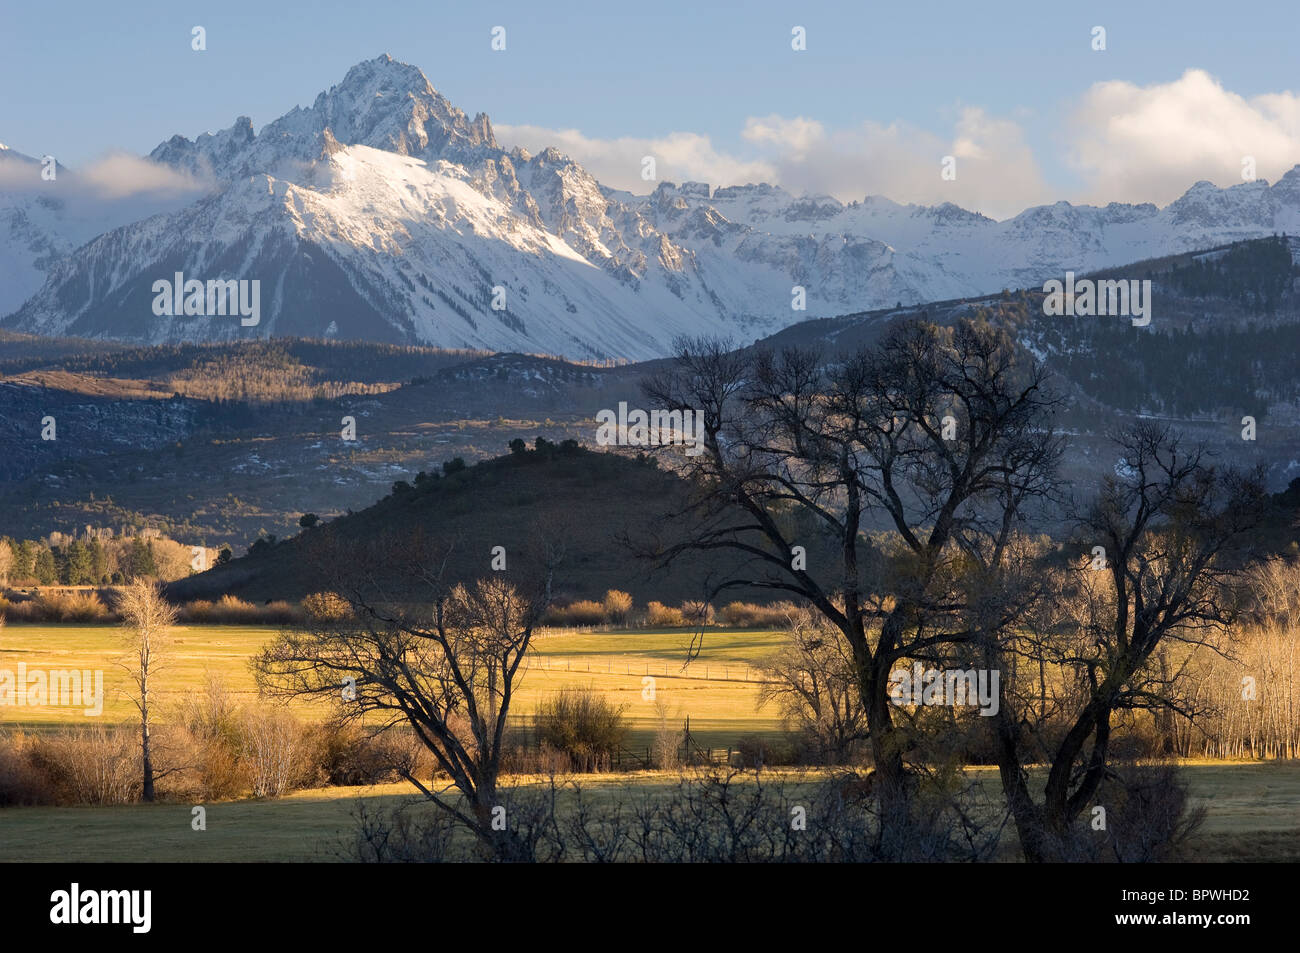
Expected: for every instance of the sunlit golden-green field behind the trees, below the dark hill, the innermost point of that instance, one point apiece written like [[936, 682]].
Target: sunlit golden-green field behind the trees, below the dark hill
[[717, 691]]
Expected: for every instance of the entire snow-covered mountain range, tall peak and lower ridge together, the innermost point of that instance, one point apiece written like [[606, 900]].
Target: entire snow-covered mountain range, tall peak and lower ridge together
[[384, 213]]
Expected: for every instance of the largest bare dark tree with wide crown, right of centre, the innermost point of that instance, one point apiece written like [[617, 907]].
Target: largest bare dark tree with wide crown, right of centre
[[938, 436]]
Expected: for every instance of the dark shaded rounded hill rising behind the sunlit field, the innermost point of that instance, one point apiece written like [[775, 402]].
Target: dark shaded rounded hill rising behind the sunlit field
[[583, 501]]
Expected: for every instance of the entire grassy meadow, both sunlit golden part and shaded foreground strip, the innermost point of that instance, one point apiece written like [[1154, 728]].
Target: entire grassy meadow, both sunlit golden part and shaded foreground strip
[[1254, 809]]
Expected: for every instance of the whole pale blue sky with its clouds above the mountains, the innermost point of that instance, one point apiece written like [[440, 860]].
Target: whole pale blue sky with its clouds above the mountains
[[1013, 92]]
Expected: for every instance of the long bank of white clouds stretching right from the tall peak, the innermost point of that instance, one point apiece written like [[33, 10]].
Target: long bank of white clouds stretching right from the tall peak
[[1125, 142]]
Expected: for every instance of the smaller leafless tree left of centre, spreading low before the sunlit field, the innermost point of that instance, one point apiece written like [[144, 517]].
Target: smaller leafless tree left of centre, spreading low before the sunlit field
[[448, 668]]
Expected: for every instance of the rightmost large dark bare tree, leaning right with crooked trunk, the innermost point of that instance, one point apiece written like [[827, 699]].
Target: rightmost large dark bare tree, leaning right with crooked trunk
[[1171, 534]]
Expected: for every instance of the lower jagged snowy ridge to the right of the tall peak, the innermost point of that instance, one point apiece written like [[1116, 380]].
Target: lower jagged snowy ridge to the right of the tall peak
[[876, 253]]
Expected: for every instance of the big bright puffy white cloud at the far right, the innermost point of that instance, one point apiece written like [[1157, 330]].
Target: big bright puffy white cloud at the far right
[[1136, 144]]
